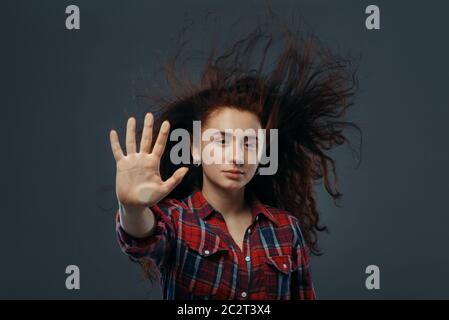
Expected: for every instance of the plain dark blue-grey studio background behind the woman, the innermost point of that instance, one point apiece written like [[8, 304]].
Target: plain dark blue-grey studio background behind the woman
[[62, 91]]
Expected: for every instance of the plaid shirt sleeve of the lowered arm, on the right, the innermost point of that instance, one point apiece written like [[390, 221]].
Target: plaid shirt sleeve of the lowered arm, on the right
[[302, 284]]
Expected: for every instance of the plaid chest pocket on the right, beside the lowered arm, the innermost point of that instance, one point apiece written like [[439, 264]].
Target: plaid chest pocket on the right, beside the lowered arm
[[278, 273]]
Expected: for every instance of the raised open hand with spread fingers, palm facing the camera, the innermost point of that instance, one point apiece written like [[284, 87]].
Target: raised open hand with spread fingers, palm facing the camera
[[138, 180]]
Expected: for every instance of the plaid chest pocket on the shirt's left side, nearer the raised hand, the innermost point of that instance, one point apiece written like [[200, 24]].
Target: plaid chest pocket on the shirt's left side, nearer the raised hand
[[203, 264]]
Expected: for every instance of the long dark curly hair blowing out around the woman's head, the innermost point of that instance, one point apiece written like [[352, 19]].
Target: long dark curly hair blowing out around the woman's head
[[305, 95]]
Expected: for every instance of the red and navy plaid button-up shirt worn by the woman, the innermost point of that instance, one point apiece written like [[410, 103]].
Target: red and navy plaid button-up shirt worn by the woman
[[197, 258]]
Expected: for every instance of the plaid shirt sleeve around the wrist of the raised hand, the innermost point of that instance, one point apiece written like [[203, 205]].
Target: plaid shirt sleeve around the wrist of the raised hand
[[155, 247]]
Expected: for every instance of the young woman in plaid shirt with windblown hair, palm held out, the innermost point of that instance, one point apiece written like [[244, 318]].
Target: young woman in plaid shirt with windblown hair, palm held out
[[220, 230]]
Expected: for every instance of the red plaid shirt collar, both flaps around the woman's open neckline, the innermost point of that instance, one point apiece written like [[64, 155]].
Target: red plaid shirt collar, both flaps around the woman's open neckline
[[204, 208]]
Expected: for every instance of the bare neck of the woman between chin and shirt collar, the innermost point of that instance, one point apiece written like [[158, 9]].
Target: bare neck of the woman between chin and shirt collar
[[227, 202]]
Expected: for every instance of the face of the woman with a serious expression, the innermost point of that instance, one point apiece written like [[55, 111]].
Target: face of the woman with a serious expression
[[231, 136]]
